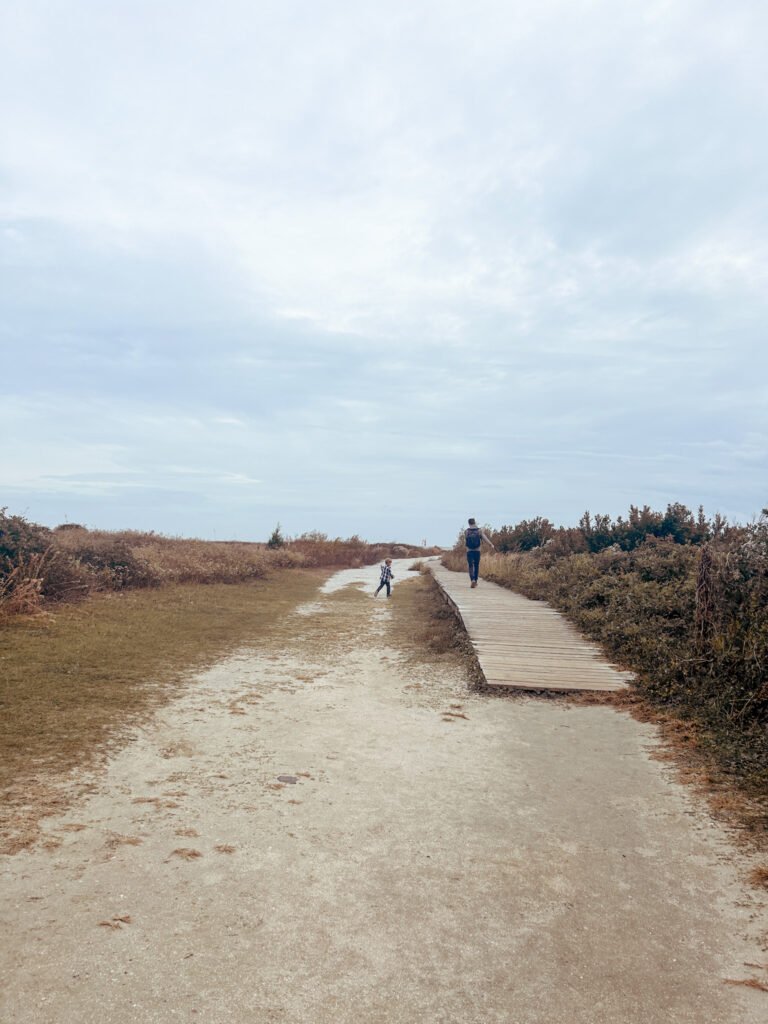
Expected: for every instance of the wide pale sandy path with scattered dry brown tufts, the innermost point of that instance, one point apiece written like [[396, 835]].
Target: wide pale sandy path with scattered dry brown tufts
[[333, 828]]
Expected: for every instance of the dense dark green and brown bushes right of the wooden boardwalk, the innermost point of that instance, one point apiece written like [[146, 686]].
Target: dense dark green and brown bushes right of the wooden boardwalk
[[690, 618]]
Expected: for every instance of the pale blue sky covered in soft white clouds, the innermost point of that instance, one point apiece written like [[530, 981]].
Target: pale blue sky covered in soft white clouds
[[373, 269]]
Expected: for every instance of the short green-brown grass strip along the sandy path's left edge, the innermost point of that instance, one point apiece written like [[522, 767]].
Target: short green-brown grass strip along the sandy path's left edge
[[75, 684]]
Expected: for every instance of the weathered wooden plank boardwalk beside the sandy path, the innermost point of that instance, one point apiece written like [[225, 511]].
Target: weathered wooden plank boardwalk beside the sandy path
[[526, 645]]
